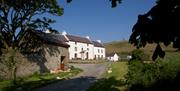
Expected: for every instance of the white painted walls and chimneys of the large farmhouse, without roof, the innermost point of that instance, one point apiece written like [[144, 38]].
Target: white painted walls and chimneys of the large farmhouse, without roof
[[78, 47]]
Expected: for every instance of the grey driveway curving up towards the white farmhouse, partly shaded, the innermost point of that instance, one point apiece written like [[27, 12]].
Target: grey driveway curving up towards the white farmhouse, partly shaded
[[81, 82]]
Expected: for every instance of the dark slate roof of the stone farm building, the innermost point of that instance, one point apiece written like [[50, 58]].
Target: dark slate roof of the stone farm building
[[55, 39]]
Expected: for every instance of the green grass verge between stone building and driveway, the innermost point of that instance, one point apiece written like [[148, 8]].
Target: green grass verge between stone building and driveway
[[34, 81]]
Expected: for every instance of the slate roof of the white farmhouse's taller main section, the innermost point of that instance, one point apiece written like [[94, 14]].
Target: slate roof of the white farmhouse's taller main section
[[78, 39]]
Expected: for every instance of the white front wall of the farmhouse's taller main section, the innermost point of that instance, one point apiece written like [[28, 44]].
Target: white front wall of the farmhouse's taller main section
[[87, 48]]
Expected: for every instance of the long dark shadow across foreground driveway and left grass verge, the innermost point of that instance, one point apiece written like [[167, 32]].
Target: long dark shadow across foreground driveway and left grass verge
[[74, 84]]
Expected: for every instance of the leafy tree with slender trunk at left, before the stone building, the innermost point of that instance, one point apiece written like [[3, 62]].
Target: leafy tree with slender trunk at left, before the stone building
[[18, 18]]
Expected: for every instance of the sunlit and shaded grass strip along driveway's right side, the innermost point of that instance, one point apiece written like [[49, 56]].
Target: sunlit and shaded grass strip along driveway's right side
[[113, 81]]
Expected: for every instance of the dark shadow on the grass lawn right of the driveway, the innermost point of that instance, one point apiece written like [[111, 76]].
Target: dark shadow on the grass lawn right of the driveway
[[107, 84]]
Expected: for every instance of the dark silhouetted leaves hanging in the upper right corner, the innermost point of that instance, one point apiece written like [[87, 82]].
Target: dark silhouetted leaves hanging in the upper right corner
[[161, 24]]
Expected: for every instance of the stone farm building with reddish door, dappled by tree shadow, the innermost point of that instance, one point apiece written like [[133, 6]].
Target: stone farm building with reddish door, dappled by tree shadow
[[52, 55]]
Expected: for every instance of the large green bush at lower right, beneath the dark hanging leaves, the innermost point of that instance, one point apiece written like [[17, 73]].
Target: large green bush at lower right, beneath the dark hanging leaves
[[160, 75]]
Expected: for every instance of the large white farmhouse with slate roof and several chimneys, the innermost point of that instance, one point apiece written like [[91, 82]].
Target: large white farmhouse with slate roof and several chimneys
[[84, 48]]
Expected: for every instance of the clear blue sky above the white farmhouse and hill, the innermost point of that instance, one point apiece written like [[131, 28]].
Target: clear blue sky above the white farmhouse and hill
[[96, 18]]
